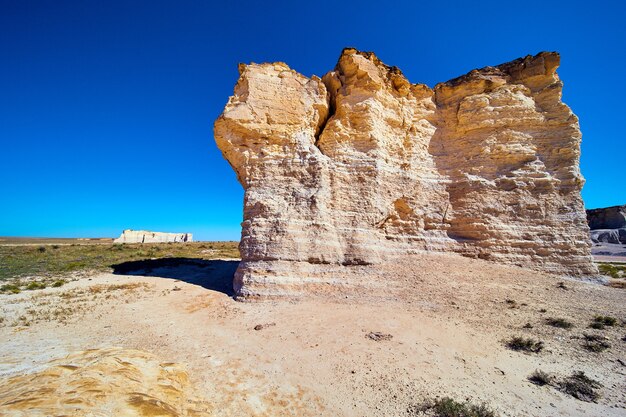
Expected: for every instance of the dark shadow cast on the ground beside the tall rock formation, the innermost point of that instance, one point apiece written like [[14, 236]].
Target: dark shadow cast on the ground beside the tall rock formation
[[212, 274]]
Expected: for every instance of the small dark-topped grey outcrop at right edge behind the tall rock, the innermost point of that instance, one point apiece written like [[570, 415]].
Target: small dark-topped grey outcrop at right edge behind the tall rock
[[608, 225]]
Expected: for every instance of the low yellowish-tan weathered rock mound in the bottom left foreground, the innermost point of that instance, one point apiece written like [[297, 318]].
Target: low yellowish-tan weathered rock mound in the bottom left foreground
[[102, 382]]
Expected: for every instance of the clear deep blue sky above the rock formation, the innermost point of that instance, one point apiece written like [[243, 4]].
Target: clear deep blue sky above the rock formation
[[106, 107]]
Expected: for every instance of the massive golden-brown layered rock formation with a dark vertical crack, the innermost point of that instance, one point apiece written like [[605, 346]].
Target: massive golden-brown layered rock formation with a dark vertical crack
[[361, 167]]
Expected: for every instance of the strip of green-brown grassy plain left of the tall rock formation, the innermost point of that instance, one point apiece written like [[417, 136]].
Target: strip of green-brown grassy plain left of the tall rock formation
[[22, 260]]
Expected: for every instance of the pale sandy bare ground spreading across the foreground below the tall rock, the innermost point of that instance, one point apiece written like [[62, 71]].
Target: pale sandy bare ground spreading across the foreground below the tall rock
[[448, 317]]
